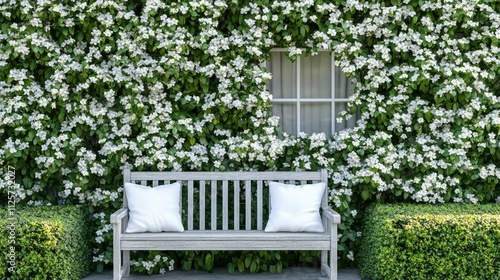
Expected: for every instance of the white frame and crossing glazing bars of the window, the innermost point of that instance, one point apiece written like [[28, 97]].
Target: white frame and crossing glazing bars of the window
[[298, 100]]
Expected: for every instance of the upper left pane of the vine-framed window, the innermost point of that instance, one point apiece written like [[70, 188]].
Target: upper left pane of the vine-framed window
[[284, 81]]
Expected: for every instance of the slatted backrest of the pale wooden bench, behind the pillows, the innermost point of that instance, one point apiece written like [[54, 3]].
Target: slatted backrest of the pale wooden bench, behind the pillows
[[244, 196]]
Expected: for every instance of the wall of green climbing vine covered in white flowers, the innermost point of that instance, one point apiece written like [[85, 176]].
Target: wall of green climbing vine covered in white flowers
[[87, 87]]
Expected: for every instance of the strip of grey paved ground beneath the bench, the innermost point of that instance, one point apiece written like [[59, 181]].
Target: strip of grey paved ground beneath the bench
[[295, 273]]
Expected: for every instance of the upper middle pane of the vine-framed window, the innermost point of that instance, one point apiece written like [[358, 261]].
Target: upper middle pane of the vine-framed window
[[315, 76]]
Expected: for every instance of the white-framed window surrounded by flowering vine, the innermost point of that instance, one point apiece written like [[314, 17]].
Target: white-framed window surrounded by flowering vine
[[308, 94]]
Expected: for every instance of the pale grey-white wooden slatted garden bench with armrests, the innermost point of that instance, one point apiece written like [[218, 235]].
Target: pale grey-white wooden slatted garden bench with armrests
[[223, 232]]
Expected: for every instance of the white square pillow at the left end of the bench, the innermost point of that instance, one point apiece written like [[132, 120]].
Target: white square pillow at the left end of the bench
[[153, 209]]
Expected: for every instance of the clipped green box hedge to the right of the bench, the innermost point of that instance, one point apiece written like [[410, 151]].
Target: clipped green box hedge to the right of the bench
[[404, 241]]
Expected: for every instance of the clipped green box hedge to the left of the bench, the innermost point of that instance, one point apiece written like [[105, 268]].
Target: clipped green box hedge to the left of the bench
[[46, 242]]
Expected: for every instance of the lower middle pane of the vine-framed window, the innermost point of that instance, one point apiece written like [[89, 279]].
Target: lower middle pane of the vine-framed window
[[316, 117]]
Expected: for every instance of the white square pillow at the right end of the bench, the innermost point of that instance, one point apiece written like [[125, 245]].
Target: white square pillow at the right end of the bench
[[295, 208]]
